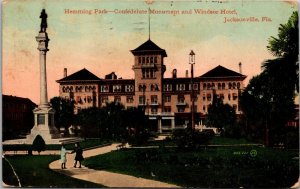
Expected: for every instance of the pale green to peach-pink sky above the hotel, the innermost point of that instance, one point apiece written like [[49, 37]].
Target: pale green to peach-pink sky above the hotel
[[102, 42]]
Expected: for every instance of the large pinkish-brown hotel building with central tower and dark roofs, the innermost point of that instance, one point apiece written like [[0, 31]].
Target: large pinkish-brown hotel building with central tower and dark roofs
[[166, 101]]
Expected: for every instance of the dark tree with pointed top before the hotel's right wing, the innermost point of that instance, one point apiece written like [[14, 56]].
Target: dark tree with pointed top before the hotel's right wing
[[220, 115]]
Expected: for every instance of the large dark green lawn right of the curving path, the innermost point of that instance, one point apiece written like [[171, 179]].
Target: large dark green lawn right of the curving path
[[213, 167]]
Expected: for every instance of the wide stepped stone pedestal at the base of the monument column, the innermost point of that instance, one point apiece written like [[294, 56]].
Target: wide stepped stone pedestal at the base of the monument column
[[43, 125]]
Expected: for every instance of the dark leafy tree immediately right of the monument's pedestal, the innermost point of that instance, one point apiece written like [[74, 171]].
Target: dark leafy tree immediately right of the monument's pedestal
[[64, 112]]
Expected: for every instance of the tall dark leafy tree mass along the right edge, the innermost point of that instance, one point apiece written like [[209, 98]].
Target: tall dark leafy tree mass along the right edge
[[268, 100]]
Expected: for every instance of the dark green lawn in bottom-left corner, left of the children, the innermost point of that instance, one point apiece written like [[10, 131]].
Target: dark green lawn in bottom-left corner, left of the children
[[33, 171]]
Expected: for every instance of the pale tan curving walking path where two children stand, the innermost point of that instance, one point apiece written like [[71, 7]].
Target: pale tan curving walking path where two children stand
[[105, 178]]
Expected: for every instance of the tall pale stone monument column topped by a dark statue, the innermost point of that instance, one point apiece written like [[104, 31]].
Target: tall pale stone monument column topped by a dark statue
[[44, 113]]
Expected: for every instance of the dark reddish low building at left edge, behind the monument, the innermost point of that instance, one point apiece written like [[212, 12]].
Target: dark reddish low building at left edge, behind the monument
[[17, 116]]
